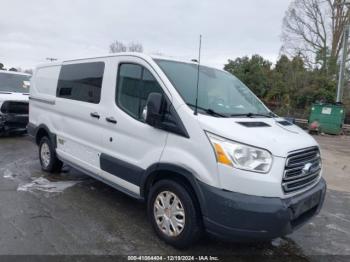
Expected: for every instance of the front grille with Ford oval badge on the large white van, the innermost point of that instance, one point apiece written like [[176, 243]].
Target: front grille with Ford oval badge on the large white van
[[303, 169]]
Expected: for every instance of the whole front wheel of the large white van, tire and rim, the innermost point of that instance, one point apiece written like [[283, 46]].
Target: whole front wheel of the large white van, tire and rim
[[174, 213]]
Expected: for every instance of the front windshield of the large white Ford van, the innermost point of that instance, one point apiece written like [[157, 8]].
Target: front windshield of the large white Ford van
[[219, 92]]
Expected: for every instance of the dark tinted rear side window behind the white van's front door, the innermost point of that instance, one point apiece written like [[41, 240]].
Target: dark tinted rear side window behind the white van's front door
[[82, 82]]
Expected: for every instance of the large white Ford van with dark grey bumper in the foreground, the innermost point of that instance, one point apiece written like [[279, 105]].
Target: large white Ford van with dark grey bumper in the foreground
[[230, 167]]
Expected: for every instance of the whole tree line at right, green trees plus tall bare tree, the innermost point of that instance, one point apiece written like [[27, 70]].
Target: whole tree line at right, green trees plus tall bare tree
[[307, 69]]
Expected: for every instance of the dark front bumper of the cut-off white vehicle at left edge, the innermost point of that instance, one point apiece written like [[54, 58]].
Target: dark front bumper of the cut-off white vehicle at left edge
[[13, 122]]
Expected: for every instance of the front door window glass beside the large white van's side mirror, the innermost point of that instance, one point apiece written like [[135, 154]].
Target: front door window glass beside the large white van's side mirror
[[134, 84]]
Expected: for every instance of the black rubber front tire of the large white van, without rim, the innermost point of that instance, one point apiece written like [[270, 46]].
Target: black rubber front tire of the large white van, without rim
[[193, 220]]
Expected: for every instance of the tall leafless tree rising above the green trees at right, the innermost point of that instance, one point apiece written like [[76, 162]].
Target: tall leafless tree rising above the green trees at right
[[314, 30]]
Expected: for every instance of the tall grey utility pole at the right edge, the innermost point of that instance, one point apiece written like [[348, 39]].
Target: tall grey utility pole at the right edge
[[343, 58]]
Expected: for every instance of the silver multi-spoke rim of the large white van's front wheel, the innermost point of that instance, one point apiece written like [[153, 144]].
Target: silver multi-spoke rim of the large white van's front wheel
[[169, 213]]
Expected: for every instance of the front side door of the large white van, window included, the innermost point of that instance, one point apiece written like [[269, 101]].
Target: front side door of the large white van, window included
[[130, 145]]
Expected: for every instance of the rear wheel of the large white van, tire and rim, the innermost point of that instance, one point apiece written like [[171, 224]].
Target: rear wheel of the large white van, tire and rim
[[47, 155]]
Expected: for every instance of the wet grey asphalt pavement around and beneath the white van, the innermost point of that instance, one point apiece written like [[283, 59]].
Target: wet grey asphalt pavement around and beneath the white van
[[73, 214]]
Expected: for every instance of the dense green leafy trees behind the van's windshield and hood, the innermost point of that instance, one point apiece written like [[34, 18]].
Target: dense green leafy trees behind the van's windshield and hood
[[288, 87]]
